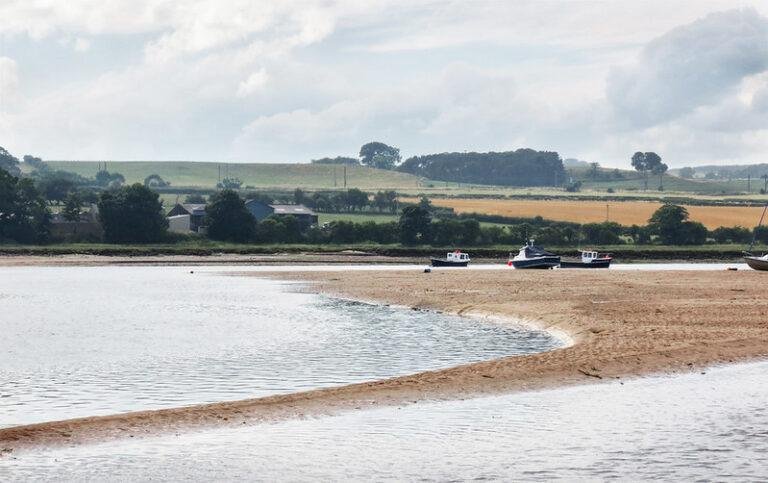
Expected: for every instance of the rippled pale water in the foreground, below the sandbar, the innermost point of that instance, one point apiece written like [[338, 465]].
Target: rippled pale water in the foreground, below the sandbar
[[692, 427]]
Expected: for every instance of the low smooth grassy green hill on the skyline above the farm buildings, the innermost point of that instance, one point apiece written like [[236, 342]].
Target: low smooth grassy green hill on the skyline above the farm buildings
[[183, 174]]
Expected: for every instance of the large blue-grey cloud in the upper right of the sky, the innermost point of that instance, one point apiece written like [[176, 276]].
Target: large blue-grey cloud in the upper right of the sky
[[691, 66]]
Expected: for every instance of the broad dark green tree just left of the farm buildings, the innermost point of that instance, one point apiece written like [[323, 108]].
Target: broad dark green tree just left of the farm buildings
[[132, 214]]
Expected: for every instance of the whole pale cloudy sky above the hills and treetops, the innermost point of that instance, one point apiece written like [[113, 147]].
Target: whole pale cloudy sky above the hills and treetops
[[287, 81]]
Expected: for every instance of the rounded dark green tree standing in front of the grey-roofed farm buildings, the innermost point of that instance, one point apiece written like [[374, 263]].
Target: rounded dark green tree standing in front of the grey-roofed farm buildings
[[228, 219]]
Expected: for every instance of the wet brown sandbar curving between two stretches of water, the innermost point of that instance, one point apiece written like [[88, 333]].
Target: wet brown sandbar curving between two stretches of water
[[622, 324]]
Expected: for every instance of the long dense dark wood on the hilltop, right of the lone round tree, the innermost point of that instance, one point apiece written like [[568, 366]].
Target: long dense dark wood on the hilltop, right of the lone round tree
[[524, 167]]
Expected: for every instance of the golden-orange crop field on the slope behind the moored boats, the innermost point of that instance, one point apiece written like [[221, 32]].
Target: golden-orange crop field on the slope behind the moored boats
[[623, 212]]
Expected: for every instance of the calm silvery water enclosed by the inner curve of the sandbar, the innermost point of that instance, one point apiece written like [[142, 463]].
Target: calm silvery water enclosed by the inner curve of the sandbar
[[81, 341]]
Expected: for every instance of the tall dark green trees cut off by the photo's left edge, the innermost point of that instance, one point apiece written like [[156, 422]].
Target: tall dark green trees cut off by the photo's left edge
[[24, 217]]
